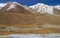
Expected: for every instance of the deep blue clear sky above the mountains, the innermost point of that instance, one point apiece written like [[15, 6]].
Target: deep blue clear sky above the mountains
[[32, 2]]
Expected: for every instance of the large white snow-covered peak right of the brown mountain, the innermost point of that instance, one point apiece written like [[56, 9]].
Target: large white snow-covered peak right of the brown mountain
[[43, 8]]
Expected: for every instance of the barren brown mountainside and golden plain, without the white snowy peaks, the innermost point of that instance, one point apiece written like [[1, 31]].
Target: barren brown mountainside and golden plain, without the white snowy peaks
[[22, 19]]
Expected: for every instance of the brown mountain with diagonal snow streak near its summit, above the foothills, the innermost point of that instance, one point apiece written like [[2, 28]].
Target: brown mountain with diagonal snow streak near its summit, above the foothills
[[15, 7]]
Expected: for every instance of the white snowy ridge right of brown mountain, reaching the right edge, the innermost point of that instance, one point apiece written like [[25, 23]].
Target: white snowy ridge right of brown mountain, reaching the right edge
[[43, 8]]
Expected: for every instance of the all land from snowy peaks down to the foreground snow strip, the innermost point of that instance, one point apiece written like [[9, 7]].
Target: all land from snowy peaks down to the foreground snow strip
[[39, 18]]
